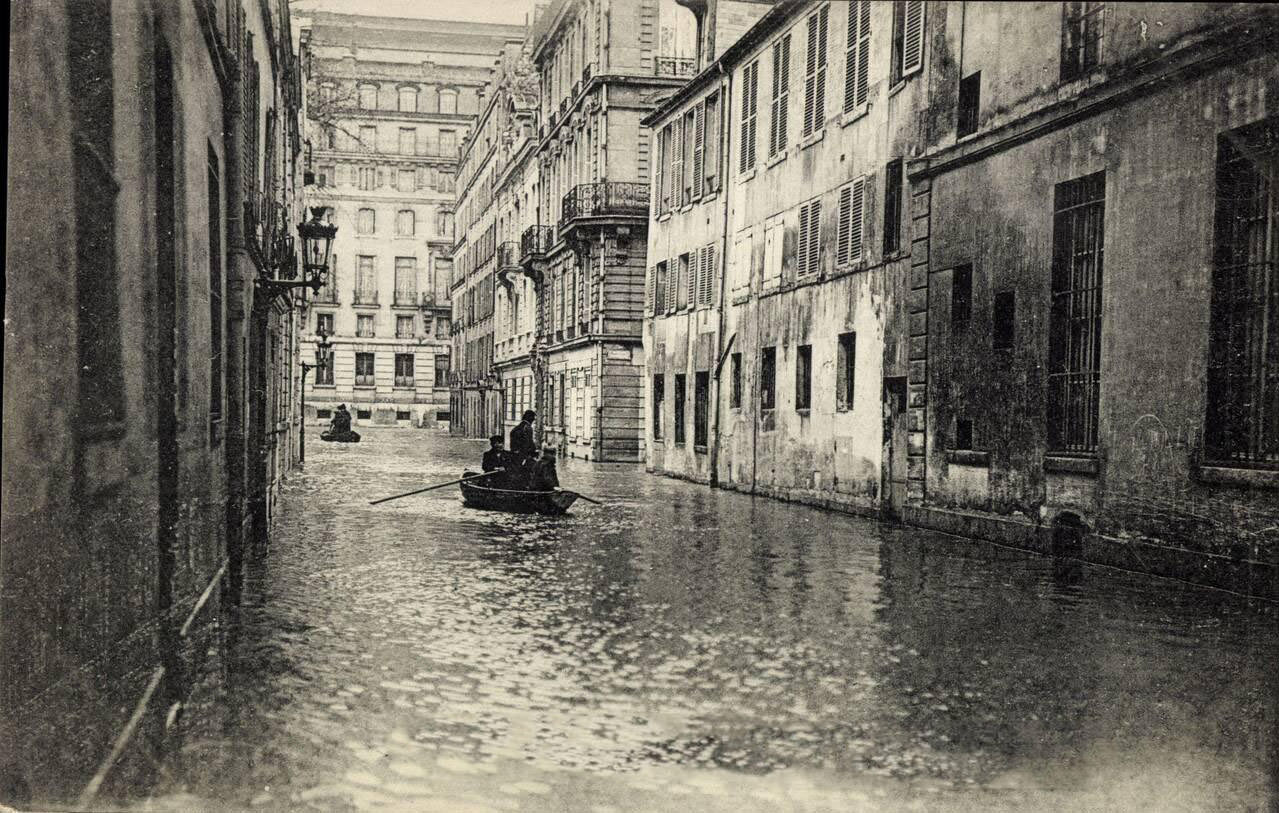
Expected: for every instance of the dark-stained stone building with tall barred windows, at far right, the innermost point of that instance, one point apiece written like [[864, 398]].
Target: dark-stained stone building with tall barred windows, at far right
[[1095, 357]]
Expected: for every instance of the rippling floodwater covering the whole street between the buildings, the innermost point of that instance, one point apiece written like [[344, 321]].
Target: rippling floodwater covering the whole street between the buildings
[[681, 649]]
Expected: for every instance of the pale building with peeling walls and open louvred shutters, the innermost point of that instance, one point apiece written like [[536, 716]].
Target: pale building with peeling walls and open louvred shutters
[[782, 164]]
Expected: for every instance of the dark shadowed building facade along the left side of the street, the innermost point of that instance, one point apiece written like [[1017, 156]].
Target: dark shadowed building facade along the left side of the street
[[145, 435]]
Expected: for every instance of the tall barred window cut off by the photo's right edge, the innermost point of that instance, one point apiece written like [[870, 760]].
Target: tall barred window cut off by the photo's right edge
[[1243, 425]]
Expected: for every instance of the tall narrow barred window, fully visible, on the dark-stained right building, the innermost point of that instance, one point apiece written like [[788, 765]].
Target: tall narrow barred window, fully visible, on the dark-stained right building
[[1075, 320]]
